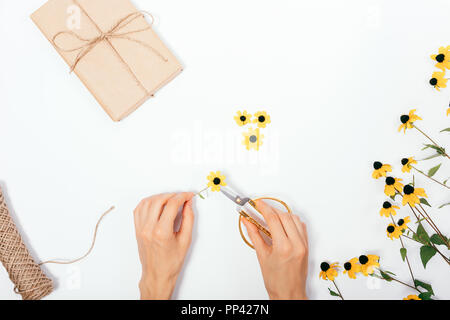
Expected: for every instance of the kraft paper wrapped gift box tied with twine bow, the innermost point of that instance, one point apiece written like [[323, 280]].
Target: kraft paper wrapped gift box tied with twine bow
[[112, 49]]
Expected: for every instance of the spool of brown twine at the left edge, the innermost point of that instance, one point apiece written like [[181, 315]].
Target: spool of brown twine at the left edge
[[28, 278]]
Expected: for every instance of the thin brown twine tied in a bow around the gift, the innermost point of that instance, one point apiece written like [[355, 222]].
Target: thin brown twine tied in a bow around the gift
[[113, 33]]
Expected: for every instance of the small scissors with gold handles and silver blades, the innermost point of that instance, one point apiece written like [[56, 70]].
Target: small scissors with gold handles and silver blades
[[248, 209]]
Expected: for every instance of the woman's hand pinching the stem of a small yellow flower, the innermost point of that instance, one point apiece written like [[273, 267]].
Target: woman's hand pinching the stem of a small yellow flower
[[162, 250]]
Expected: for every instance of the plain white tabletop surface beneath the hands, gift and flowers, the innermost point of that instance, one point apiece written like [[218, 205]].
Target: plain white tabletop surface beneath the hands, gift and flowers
[[335, 79]]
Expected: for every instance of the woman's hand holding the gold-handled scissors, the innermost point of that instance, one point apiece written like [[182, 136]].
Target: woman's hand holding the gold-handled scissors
[[284, 265]]
